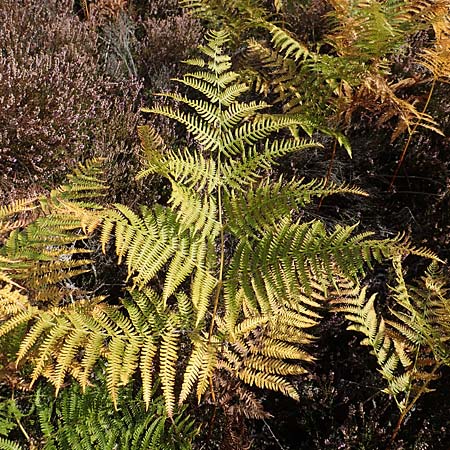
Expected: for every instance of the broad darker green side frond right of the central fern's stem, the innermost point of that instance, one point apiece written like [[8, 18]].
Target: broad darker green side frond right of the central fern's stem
[[308, 254]]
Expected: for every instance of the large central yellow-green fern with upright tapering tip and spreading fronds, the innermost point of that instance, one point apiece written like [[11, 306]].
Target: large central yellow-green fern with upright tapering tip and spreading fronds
[[222, 279]]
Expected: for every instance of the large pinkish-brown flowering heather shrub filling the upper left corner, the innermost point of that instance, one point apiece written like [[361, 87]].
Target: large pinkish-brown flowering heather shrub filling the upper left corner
[[57, 106]]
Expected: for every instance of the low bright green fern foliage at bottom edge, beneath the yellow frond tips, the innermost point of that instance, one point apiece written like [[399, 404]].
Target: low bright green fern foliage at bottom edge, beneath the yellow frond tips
[[88, 421]]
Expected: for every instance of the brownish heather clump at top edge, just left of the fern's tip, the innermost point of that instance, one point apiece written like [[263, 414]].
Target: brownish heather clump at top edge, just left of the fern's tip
[[141, 39]]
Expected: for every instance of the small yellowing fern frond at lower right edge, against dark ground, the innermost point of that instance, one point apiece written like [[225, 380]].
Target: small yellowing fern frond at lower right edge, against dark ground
[[403, 343]]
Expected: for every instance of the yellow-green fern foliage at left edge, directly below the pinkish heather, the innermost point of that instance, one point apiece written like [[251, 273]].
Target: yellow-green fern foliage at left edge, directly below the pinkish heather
[[39, 251]]
